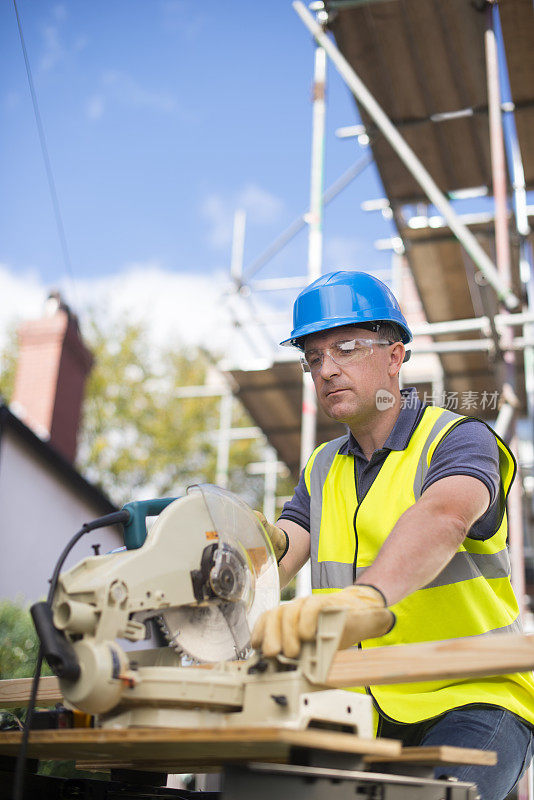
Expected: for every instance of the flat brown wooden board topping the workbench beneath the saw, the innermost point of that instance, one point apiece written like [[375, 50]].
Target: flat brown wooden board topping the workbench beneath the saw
[[172, 747]]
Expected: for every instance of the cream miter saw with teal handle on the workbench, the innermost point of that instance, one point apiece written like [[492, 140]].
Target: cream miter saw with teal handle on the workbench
[[205, 572]]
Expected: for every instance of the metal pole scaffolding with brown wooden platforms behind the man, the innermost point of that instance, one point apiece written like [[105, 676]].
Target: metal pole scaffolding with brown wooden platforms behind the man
[[428, 81]]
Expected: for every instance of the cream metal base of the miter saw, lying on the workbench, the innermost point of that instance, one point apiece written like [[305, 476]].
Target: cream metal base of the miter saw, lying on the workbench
[[228, 696]]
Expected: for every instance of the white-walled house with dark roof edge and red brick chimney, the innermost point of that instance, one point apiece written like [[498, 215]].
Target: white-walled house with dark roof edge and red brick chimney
[[44, 499]]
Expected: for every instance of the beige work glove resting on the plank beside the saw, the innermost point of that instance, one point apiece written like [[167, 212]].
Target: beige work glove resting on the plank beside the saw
[[282, 629]]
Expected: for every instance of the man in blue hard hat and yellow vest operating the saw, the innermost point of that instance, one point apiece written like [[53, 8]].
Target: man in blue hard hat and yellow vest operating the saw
[[406, 512]]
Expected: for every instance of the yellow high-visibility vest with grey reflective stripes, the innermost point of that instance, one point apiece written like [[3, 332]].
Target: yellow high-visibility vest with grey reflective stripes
[[472, 596]]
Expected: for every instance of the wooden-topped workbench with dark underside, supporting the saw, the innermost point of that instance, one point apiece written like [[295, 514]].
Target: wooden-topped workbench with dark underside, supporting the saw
[[255, 762]]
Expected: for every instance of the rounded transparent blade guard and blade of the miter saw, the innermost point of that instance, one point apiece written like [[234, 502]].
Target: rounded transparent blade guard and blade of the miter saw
[[239, 579]]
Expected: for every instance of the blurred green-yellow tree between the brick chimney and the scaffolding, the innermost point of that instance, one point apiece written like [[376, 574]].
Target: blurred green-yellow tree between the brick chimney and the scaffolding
[[138, 434]]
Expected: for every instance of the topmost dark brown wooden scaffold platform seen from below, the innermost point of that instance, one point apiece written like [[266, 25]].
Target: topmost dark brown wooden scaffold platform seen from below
[[420, 59]]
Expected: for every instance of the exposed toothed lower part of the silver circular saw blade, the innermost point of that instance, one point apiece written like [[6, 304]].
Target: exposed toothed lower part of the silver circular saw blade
[[208, 633]]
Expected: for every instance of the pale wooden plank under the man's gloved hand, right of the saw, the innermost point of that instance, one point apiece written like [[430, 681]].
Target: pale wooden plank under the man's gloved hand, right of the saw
[[453, 658]]
